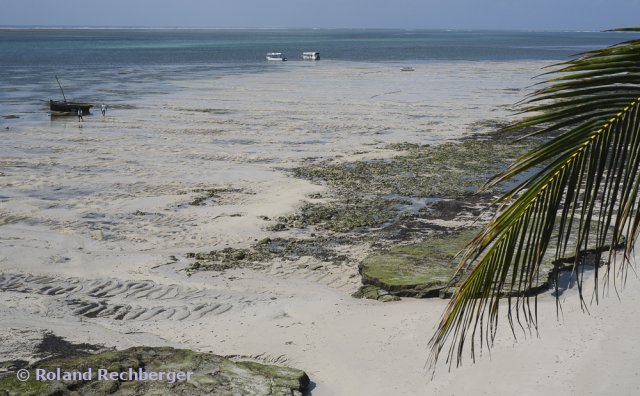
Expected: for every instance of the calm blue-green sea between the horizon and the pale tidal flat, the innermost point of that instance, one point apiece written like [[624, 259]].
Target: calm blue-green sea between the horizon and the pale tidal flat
[[97, 63]]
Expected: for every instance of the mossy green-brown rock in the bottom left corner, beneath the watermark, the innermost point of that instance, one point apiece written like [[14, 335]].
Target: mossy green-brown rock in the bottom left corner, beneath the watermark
[[212, 375]]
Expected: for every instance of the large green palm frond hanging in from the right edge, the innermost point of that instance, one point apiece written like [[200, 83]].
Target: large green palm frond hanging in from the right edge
[[584, 194]]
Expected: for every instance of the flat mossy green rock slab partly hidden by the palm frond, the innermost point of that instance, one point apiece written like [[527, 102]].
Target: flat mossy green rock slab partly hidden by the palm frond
[[416, 270]]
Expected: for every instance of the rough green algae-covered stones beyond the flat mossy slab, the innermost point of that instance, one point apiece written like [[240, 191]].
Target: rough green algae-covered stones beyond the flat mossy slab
[[371, 193]]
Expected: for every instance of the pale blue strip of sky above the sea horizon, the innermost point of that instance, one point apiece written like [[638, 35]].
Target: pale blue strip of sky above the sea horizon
[[405, 14]]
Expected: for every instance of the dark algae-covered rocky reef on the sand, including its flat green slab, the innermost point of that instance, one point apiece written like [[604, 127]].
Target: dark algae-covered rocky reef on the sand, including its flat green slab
[[415, 210]]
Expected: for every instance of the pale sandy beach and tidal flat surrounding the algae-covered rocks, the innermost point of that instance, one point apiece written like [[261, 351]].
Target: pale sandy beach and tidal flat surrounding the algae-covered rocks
[[98, 217]]
